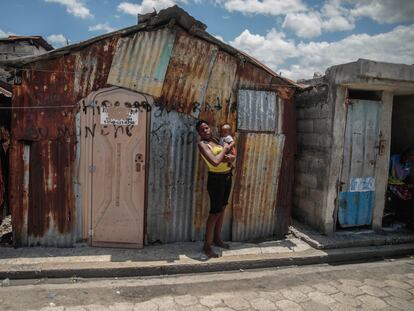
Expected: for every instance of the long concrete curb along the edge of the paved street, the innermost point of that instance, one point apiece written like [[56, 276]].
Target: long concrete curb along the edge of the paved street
[[134, 269]]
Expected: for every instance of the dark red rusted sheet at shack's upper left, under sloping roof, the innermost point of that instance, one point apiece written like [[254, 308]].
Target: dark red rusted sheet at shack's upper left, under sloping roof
[[43, 106]]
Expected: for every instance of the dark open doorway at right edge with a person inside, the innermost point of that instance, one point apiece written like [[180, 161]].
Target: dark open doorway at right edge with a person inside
[[399, 205]]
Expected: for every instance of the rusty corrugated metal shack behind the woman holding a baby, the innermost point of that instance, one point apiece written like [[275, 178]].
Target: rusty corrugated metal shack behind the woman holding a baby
[[104, 149]]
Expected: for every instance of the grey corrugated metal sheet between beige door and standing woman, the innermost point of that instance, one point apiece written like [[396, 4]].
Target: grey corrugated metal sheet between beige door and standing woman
[[173, 145]]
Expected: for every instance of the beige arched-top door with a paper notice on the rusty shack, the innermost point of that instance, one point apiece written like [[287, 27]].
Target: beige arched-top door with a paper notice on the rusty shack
[[118, 168]]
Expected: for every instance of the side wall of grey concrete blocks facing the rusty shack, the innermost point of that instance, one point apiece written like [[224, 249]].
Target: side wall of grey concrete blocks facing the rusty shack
[[314, 130]]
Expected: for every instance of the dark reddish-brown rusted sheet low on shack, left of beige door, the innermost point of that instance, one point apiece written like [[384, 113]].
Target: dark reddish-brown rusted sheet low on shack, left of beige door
[[51, 207]]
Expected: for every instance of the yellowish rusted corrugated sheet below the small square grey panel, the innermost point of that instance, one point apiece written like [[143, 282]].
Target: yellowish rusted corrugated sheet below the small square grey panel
[[255, 191]]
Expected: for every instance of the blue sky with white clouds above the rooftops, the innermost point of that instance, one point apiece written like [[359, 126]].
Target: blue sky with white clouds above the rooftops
[[294, 37]]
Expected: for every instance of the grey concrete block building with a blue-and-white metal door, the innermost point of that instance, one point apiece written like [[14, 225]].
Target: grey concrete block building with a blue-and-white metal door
[[349, 123]]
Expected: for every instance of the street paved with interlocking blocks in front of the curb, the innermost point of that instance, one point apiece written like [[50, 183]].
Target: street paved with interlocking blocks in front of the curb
[[387, 285]]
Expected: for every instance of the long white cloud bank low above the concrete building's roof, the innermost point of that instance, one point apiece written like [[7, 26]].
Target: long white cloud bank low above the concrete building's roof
[[276, 51]]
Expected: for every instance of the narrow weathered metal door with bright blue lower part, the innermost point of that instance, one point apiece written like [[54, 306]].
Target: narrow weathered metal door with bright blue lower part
[[361, 147]]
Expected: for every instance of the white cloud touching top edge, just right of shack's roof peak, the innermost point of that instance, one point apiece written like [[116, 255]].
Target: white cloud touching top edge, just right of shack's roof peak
[[267, 7]]
